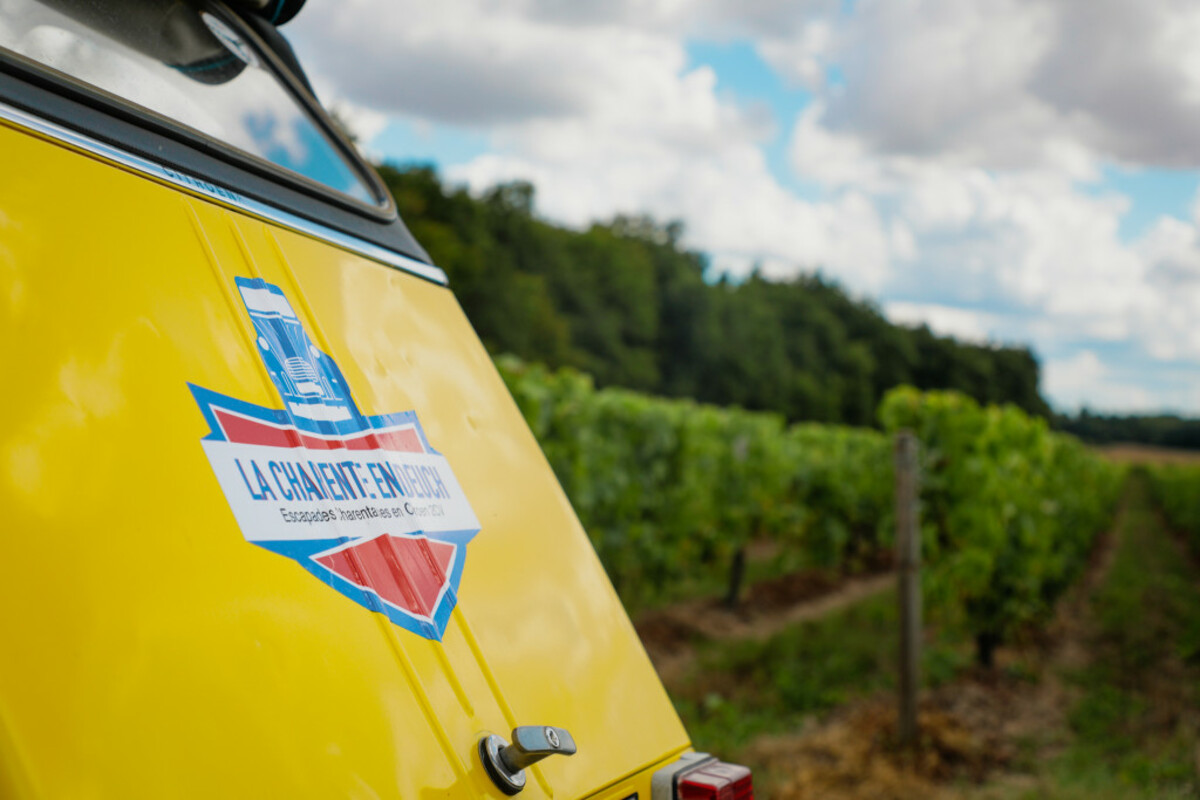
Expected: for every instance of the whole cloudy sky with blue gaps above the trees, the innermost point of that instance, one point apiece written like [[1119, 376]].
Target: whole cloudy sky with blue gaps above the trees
[[1004, 171]]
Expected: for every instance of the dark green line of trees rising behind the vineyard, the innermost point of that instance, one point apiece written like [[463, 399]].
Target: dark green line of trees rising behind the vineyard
[[627, 304]]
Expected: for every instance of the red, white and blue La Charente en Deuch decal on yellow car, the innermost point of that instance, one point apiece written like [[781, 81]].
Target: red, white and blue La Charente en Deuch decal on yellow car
[[364, 503]]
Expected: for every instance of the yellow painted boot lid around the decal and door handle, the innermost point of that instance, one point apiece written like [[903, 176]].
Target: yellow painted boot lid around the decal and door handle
[[149, 649]]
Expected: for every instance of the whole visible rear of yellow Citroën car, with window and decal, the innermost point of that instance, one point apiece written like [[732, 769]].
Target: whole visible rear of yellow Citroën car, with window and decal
[[272, 525]]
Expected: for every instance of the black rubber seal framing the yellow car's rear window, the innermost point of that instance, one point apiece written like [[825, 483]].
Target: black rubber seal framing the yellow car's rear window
[[383, 210]]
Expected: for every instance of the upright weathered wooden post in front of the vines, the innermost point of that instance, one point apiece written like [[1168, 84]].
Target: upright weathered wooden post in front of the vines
[[909, 568]]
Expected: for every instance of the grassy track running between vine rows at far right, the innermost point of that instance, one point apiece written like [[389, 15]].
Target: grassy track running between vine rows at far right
[[1136, 726]]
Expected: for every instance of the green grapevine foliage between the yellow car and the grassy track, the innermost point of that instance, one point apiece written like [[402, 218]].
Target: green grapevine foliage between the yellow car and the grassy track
[[673, 492]]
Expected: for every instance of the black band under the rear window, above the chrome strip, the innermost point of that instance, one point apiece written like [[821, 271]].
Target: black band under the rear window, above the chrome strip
[[152, 137]]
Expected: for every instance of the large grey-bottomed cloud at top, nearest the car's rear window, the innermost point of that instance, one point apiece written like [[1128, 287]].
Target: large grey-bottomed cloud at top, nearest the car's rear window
[[496, 62]]
